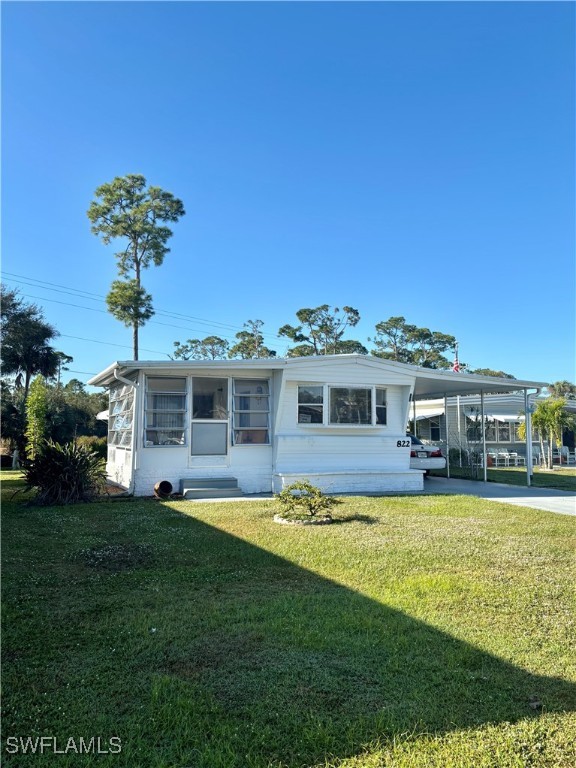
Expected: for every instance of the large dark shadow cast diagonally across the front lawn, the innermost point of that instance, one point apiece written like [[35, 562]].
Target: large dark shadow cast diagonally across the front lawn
[[228, 656]]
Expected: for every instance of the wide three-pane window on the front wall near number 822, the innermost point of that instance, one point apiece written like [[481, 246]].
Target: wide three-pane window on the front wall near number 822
[[364, 406]]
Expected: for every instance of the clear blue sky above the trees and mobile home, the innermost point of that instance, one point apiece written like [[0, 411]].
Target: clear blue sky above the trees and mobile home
[[411, 159]]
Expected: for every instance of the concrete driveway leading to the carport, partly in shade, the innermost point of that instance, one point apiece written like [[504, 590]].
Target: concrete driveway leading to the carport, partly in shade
[[548, 499]]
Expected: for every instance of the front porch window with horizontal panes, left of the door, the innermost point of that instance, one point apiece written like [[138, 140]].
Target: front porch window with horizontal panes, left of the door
[[165, 411]]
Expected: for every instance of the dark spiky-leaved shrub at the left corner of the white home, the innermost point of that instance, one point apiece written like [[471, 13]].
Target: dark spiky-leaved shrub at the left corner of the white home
[[65, 474]]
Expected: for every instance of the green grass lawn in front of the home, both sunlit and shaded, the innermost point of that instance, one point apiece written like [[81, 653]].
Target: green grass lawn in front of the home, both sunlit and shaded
[[416, 631]]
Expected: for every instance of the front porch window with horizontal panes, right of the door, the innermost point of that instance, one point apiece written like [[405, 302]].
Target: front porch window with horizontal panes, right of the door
[[251, 412]]
